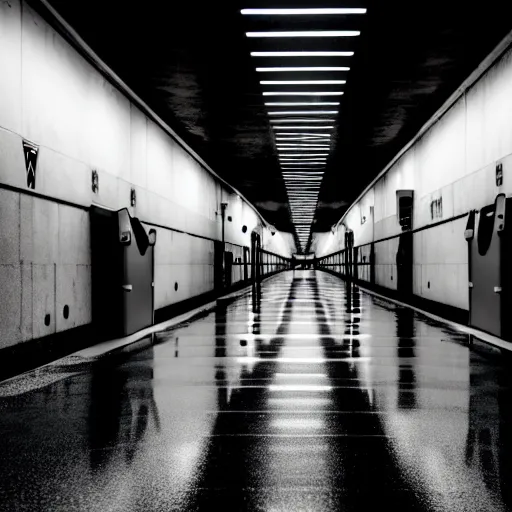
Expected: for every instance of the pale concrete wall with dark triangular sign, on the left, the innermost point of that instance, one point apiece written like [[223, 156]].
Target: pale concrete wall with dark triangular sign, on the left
[[52, 97]]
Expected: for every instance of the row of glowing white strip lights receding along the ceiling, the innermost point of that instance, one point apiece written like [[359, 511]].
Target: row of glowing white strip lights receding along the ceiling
[[302, 154]]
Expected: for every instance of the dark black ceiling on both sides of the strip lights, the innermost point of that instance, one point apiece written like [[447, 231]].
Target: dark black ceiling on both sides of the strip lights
[[190, 61]]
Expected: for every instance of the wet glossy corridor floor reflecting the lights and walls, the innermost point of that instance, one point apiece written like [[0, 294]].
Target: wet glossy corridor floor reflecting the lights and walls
[[306, 395]]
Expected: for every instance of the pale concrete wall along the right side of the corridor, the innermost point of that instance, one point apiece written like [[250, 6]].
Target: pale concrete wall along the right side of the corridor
[[454, 162]]
